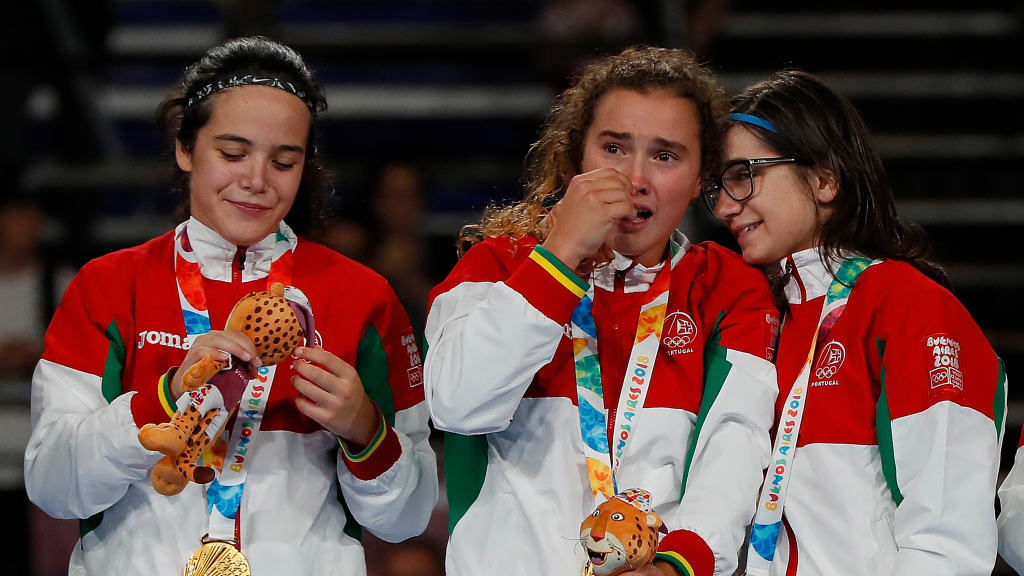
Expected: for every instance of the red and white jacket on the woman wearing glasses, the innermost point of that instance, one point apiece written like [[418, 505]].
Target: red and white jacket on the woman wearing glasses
[[899, 455]]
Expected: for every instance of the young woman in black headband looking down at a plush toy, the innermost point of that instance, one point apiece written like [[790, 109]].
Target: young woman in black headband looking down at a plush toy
[[337, 438]]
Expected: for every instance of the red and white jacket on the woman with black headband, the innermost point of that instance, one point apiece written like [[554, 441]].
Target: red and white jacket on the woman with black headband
[[119, 328]]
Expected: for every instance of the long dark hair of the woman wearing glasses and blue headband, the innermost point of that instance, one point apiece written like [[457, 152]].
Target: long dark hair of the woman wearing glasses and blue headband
[[824, 131]]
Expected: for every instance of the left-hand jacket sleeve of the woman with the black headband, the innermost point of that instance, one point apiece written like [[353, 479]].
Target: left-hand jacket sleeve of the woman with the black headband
[[84, 451]]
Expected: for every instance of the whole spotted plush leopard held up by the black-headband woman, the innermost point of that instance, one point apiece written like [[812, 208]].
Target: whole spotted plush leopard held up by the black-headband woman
[[278, 321]]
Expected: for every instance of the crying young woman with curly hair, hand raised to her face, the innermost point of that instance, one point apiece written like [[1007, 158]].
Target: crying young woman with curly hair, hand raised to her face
[[582, 347]]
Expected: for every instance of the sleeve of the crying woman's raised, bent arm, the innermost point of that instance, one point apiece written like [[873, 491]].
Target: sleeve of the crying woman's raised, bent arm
[[489, 339]]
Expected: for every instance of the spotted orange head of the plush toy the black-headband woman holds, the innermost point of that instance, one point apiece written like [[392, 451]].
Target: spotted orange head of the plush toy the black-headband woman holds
[[271, 321]]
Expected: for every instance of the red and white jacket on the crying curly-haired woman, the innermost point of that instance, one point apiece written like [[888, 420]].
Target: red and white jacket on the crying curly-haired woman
[[500, 379]]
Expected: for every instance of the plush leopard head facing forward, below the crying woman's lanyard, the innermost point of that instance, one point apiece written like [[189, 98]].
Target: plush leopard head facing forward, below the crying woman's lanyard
[[622, 534]]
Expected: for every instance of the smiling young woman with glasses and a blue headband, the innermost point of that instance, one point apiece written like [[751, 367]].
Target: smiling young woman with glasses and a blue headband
[[891, 402]]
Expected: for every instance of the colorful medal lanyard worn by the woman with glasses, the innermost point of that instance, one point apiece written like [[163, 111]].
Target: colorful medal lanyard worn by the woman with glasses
[[769, 518]]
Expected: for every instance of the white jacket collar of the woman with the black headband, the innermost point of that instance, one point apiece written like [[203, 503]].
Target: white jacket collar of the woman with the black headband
[[217, 256]]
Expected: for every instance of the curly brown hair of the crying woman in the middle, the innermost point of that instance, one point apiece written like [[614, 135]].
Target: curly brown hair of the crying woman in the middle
[[557, 157]]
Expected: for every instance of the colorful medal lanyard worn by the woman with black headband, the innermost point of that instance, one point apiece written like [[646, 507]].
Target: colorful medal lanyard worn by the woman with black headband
[[224, 496]]
